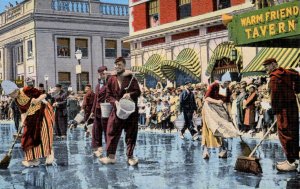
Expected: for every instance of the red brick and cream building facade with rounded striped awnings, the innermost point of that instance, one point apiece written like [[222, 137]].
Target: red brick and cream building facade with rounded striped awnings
[[178, 40]]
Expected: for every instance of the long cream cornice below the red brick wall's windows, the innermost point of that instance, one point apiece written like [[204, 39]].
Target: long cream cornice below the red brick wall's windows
[[209, 19]]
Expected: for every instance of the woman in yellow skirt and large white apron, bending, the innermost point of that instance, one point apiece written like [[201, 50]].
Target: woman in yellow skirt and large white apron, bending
[[217, 123]]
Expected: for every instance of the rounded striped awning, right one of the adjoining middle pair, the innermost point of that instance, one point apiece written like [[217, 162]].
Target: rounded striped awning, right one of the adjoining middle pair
[[186, 61]]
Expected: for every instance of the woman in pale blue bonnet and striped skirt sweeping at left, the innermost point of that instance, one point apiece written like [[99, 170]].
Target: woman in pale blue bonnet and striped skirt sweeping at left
[[37, 137]]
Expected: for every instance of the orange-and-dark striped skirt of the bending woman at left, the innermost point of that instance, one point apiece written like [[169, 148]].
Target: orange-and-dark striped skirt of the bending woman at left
[[44, 149]]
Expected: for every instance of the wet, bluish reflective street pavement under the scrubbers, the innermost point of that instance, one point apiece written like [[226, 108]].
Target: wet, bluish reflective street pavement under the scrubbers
[[166, 161]]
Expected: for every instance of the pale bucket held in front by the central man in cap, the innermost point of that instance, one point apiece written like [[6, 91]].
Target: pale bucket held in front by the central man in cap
[[125, 108]]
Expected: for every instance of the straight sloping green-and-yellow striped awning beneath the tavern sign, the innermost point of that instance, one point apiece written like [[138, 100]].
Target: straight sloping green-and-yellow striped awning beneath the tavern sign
[[286, 58]]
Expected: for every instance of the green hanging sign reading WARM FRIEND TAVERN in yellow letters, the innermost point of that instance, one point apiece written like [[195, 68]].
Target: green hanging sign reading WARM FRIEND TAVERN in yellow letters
[[276, 26]]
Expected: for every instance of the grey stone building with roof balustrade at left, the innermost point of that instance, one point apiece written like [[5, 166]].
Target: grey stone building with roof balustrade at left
[[39, 38]]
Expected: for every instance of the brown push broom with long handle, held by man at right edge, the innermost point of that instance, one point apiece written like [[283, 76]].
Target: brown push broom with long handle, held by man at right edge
[[250, 164]]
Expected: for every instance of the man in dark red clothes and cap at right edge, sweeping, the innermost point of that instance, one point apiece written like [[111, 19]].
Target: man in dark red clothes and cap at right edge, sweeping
[[284, 84]]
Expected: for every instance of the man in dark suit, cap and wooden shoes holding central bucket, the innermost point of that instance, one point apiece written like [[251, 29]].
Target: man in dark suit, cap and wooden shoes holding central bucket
[[121, 85]]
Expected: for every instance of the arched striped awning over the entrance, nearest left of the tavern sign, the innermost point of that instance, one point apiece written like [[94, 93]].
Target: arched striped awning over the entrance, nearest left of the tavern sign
[[223, 50]]
